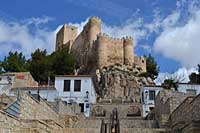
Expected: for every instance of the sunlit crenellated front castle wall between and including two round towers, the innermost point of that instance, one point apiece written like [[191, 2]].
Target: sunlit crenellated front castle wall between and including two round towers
[[111, 51]]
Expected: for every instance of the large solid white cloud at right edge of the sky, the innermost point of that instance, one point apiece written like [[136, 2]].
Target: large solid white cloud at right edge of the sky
[[181, 43]]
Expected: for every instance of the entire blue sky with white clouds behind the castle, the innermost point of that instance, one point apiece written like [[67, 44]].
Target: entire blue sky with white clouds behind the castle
[[165, 28]]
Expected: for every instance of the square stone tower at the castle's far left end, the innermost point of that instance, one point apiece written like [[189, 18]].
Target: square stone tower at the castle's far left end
[[66, 36]]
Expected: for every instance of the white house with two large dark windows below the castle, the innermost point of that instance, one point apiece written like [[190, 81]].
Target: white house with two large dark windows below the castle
[[78, 89]]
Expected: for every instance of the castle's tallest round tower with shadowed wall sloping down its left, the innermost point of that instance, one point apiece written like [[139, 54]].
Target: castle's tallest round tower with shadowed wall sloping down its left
[[82, 46]]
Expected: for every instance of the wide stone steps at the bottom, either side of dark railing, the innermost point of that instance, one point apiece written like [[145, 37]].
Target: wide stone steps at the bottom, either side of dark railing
[[131, 125]]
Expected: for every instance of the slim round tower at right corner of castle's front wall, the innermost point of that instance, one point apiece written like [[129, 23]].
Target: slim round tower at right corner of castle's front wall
[[128, 51]]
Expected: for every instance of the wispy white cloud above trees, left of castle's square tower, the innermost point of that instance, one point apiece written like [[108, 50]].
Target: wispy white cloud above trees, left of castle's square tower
[[18, 36]]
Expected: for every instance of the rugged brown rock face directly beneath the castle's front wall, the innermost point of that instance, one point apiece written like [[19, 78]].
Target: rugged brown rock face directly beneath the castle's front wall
[[121, 82]]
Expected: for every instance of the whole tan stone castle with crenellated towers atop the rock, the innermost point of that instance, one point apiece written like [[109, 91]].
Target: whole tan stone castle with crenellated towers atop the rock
[[95, 50]]
